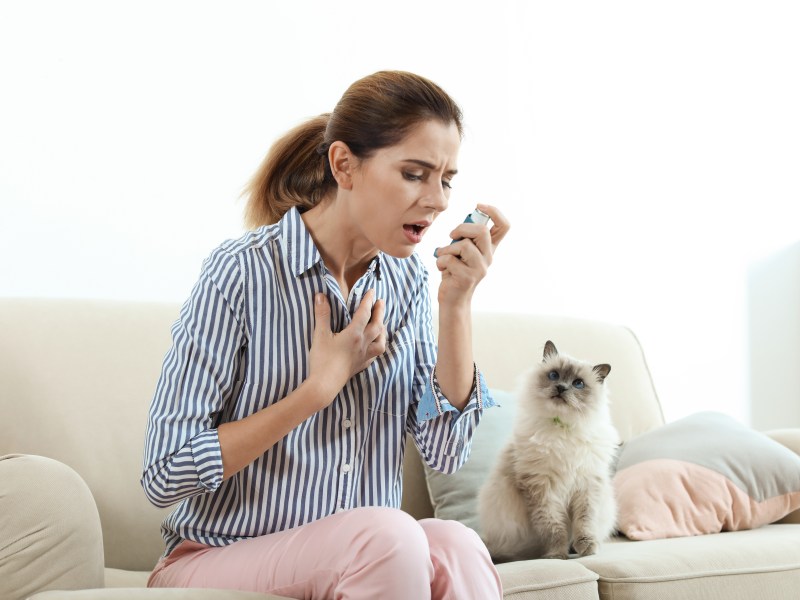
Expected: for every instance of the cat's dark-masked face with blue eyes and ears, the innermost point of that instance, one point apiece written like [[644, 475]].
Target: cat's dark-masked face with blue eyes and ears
[[568, 385]]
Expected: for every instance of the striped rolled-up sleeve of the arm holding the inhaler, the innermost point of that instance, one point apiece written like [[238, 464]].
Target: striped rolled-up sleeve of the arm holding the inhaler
[[442, 433]]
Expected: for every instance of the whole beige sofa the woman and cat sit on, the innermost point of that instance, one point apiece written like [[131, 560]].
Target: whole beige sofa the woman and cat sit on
[[77, 378]]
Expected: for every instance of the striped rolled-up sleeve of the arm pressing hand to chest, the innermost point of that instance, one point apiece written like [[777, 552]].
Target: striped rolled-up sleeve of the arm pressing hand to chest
[[182, 453]]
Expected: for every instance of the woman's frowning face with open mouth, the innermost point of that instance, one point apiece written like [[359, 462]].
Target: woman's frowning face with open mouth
[[399, 191]]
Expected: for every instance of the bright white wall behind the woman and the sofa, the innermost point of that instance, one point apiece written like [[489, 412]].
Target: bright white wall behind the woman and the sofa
[[646, 152]]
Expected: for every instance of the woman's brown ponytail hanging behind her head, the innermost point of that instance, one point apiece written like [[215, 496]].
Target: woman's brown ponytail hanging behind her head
[[293, 173]]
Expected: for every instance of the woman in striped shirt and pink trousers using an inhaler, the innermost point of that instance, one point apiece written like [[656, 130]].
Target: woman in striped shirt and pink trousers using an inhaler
[[305, 355]]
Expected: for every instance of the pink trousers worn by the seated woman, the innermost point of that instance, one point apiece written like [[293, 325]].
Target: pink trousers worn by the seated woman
[[362, 553]]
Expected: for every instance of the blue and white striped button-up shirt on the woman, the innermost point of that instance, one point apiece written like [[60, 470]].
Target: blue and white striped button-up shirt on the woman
[[241, 343]]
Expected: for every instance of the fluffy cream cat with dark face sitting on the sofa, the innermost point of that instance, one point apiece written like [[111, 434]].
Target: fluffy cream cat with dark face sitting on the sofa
[[550, 490]]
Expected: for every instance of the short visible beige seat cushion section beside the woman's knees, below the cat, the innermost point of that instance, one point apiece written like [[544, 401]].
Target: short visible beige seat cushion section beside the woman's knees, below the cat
[[547, 579]]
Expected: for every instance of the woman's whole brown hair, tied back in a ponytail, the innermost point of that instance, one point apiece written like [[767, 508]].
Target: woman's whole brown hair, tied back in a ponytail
[[375, 112]]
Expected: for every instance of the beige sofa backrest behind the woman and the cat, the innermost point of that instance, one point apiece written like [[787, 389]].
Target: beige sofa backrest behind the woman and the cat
[[77, 377]]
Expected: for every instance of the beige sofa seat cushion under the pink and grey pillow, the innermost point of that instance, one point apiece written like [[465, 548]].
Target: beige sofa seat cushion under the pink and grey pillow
[[737, 565]]
